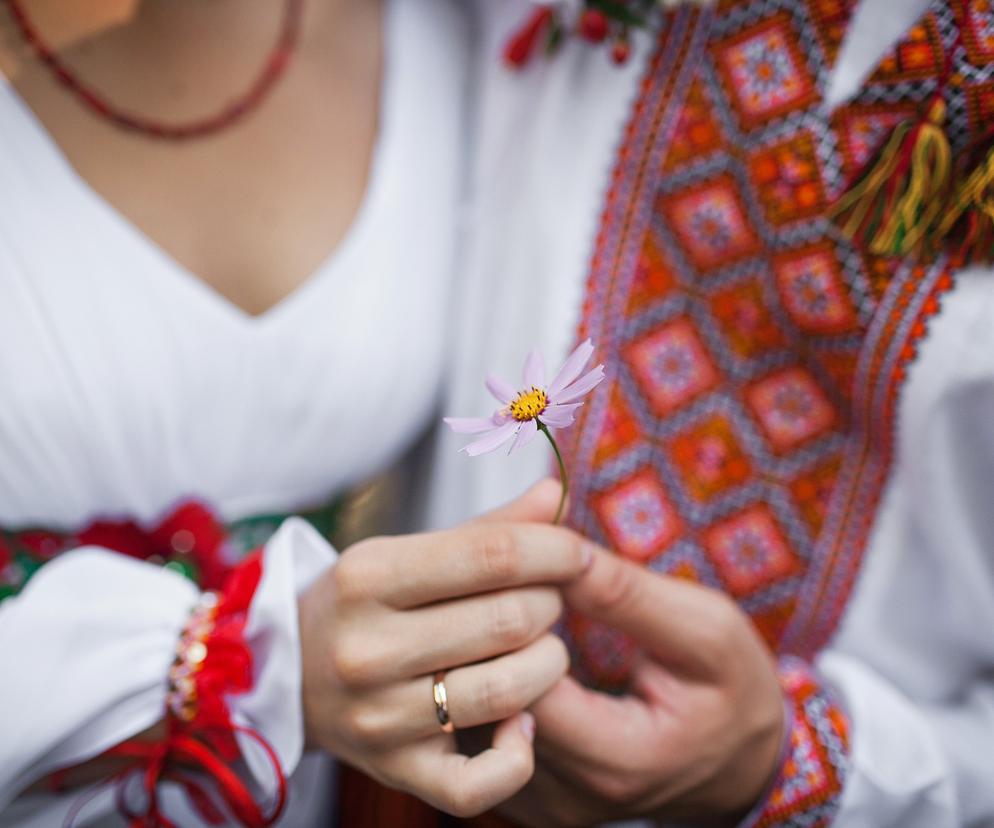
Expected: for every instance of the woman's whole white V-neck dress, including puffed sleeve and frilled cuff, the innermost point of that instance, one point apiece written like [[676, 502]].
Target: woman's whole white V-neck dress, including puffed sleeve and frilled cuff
[[127, 385]]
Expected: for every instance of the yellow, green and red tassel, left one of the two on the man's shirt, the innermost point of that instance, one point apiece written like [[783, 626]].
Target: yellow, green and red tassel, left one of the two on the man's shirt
[[895, 207]]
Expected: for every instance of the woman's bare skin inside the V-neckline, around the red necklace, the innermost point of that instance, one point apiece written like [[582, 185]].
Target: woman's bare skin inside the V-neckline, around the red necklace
[[252, 208]]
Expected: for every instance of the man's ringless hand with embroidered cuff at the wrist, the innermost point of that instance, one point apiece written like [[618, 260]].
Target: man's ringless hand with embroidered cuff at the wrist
[[699, 737]]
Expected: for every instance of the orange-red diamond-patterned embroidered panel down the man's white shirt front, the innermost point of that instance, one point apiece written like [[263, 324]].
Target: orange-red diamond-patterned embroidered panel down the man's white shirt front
[[729, 442]]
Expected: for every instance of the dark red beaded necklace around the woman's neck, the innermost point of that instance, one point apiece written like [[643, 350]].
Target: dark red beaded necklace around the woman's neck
[[229, 114]]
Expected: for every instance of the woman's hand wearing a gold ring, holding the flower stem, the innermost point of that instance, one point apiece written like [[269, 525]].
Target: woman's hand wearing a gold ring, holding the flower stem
[[475, 601]]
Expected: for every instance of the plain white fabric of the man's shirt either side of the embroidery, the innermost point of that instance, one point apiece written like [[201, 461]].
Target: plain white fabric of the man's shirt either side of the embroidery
[[914, 657]]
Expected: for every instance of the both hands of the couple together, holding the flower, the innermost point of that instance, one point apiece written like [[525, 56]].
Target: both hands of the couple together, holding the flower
[[698, 737]]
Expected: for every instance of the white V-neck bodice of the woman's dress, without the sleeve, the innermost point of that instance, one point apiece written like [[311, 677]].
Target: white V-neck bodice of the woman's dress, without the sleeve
[[133, 384]]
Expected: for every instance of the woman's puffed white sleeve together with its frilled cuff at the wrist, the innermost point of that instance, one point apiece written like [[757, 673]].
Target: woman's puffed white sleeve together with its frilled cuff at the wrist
[[87, 645]]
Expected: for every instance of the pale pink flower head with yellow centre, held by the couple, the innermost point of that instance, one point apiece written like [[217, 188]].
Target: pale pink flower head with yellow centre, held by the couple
[[539, 407]]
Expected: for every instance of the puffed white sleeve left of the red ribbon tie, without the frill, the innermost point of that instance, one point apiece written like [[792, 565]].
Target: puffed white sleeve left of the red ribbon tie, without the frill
[[86, 648]]
